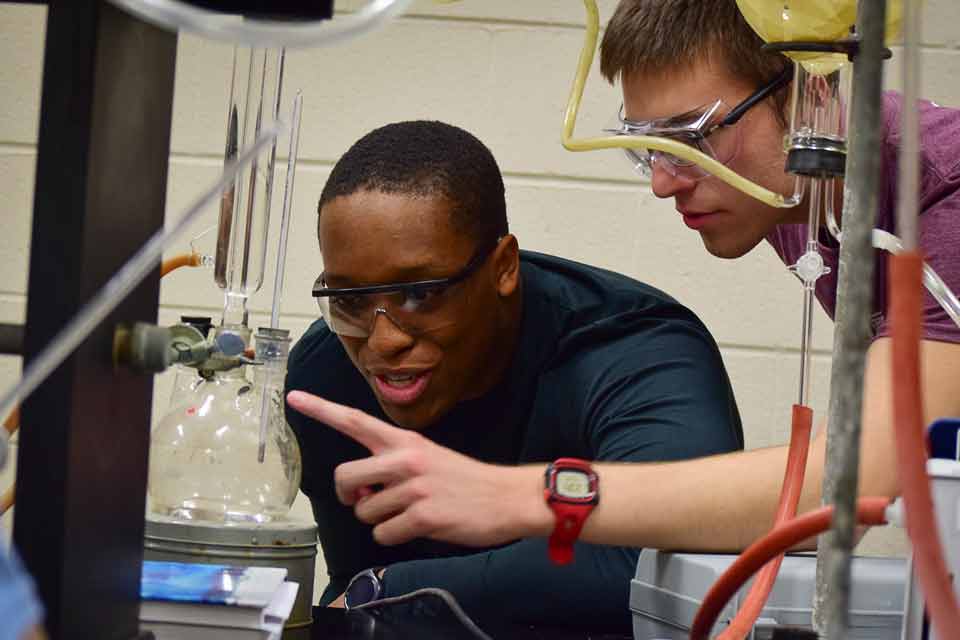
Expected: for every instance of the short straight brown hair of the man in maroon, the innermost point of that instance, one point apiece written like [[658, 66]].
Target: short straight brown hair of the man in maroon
[[657, 36]]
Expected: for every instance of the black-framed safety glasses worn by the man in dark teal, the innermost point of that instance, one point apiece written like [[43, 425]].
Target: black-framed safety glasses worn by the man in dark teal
[[414, 307]]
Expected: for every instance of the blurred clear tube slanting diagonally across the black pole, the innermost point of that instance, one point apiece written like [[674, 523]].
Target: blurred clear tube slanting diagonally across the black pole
[[126, 278]]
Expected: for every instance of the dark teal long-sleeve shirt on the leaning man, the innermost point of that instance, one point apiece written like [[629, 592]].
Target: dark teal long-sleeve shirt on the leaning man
[[606, 368]]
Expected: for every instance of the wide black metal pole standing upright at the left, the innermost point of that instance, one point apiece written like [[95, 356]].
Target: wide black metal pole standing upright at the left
[[100, 189]]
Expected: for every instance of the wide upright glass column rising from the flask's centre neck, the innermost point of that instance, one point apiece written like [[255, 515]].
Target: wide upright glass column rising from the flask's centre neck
[[245, 206]]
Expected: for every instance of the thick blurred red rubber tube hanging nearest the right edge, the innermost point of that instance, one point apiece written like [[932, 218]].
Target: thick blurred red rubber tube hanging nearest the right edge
[[906, 300]]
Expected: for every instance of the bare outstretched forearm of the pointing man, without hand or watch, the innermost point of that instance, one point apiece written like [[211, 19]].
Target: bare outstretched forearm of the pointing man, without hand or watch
[[719, 503]]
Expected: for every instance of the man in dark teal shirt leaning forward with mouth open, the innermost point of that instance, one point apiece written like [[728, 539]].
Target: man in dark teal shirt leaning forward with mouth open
[[441, 325]]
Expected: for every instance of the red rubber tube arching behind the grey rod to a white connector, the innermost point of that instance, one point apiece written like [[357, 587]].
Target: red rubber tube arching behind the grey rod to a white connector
[[870, 511]]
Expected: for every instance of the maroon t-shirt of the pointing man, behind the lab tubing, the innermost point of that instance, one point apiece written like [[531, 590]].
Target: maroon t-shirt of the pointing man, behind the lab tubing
[[939, 227]]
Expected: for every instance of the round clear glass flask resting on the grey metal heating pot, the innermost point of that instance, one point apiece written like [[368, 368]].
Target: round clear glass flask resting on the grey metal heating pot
[[204, 452]]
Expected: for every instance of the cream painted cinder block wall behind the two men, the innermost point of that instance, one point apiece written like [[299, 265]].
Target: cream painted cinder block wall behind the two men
[[502, 70]]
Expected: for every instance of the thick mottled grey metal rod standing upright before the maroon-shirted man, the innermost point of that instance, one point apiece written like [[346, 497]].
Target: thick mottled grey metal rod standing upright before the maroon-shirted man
[[852, 333]]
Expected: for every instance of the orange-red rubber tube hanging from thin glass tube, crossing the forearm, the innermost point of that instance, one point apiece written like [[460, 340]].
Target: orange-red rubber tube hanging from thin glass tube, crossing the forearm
[[800, 427]]
